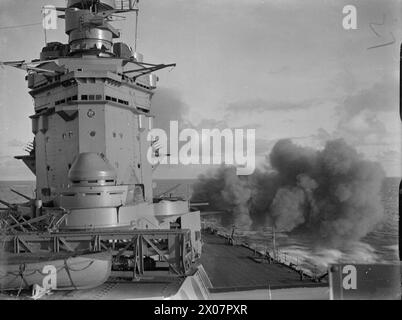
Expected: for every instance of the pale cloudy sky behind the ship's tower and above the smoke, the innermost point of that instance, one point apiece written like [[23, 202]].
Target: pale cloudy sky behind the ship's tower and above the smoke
[[285, 68]]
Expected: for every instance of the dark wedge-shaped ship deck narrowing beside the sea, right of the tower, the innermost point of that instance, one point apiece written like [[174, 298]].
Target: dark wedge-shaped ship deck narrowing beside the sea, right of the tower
[[237, 268]]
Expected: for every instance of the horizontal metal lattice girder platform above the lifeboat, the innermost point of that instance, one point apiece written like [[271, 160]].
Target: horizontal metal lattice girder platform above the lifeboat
[[172, 246]]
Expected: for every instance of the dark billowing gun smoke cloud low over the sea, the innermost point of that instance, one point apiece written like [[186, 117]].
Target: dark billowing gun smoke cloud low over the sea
[[333, 195]]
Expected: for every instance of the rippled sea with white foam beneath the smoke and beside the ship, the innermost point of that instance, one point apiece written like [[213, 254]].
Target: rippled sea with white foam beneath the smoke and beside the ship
[[379, 246]]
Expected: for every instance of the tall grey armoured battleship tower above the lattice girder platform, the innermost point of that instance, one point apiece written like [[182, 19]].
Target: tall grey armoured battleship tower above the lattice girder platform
[[91, 124]]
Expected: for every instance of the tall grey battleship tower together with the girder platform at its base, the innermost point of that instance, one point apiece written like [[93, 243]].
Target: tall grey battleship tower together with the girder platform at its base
[[92, 120]]
